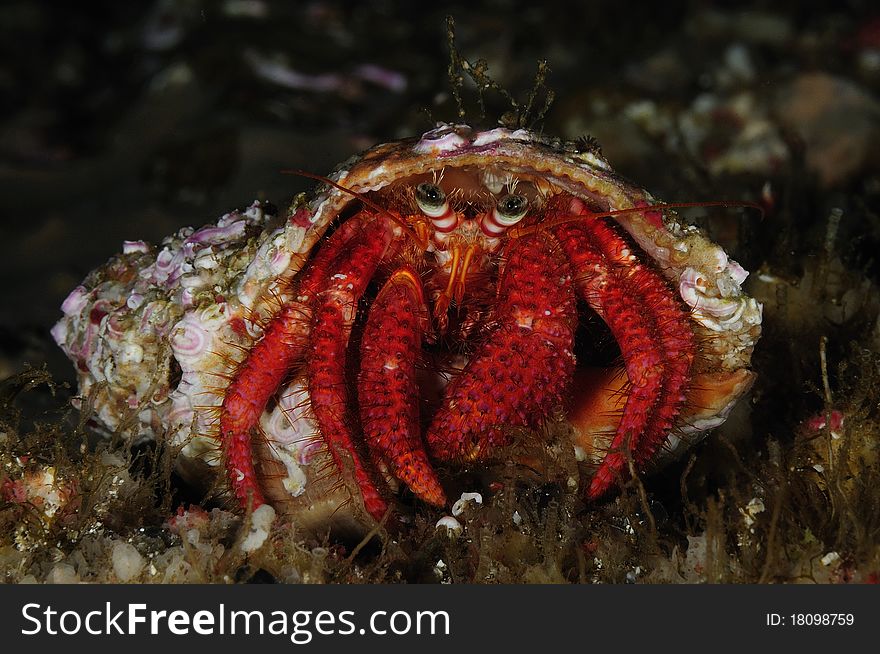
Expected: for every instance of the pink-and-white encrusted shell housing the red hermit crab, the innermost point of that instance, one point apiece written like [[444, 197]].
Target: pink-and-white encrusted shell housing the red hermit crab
[[156, 330]]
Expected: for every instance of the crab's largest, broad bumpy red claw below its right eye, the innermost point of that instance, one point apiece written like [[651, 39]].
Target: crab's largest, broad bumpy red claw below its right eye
[[525, 366]]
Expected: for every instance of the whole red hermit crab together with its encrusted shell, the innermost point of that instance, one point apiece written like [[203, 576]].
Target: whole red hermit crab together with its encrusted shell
[[423, 308]]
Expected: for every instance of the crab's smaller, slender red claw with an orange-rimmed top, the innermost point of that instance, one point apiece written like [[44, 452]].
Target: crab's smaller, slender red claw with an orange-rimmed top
[[387, 389]]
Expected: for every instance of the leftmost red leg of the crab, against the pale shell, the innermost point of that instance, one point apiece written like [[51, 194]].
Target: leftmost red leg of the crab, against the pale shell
[[258, 377]]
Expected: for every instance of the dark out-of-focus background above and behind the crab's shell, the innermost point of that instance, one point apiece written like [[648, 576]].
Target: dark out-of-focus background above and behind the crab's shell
[[130, 120]]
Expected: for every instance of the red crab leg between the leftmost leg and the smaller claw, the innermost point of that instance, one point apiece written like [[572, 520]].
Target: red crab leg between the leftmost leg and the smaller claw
[[335, 308]]
